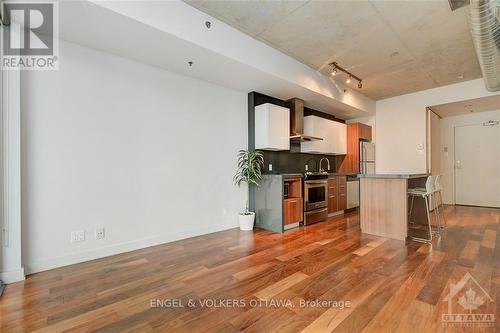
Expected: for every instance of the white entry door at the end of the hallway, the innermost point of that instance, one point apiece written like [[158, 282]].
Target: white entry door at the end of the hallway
[[477, 165]]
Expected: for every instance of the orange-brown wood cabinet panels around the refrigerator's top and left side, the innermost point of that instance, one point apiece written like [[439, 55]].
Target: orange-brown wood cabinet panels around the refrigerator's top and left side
[[356, 132]]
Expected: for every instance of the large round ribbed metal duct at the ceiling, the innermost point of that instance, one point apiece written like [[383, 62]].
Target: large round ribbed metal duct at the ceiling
[[485, 30]]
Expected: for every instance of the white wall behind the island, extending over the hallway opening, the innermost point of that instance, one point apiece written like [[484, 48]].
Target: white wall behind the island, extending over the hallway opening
[[401, 125]]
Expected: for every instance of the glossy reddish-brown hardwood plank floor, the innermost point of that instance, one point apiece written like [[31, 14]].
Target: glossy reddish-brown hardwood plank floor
[[391, 286]]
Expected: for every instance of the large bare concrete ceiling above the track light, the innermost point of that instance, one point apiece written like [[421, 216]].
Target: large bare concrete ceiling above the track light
[[396, 47]]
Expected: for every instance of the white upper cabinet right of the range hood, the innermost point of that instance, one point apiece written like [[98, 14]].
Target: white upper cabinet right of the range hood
[[334, 136]]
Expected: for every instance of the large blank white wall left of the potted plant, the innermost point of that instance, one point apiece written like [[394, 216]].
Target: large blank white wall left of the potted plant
[[109, 142]]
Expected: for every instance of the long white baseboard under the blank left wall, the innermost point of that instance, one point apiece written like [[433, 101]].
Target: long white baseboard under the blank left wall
[[74, 258]]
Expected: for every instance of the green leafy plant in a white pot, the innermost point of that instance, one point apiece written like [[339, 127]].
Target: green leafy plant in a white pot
[[249, 171]]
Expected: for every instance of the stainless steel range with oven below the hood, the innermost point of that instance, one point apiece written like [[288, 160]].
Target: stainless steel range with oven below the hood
[[315, 197]]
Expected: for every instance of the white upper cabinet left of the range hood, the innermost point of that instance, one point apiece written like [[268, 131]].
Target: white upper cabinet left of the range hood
[[272, 127]]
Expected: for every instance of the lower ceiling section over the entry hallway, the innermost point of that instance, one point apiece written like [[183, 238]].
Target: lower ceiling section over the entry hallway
[[483, 104]]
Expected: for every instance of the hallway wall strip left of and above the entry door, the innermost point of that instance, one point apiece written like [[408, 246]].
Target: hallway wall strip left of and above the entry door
[[448, 140]]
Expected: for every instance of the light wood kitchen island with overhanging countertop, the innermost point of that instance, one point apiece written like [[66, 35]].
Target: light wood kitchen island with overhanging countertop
[[384, 203]]
